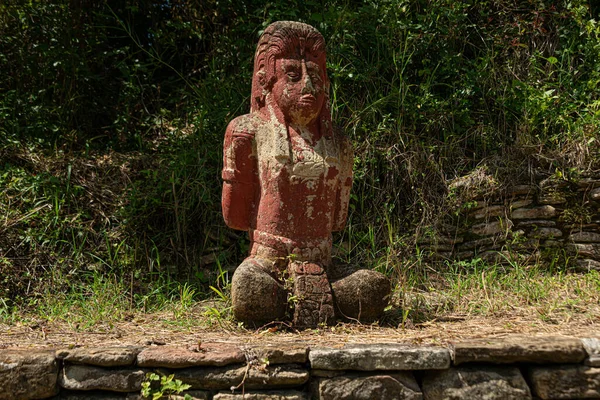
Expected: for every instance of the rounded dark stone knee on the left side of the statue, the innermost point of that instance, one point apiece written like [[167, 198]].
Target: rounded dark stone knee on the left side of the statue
[[256, 294]]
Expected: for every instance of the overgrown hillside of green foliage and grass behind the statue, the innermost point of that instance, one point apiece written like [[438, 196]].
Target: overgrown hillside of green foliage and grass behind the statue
[[112, 116]]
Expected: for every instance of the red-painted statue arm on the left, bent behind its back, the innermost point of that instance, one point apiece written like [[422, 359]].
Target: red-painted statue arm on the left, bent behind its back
[[239, 174]]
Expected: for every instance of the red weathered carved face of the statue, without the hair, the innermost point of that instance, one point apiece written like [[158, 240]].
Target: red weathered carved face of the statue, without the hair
[[299, 89]]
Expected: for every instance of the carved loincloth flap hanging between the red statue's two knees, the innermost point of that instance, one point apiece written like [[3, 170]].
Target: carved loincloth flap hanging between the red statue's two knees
[[313, 301]]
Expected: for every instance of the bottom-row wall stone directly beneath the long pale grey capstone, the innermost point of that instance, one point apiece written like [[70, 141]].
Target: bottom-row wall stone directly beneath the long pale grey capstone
[[401, 385]]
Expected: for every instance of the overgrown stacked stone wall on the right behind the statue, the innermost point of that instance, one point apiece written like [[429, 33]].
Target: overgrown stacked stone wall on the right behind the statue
[[554, 220]]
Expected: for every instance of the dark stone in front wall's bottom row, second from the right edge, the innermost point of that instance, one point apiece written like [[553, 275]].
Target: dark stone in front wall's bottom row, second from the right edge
[[463, 383]]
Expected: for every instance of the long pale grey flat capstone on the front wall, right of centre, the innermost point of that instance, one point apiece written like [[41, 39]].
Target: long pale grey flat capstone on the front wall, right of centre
[[380, 357]]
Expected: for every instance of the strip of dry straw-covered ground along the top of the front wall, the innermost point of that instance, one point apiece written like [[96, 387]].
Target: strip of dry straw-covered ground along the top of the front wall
[[156, 330]]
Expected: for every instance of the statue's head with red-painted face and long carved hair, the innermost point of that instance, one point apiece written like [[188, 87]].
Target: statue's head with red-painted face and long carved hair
[[290, 75]]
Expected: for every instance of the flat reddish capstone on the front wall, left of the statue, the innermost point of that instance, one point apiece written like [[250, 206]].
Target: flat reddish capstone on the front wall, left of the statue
[[209, 354]]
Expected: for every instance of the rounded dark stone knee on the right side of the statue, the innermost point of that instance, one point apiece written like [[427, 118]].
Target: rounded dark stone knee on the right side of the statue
[[361, 294]]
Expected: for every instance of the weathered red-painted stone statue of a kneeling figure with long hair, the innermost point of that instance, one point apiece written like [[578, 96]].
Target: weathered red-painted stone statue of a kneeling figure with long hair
[[287, 180]]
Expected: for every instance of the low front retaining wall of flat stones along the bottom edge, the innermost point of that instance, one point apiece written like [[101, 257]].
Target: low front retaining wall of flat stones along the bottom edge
[[508, 368]]
